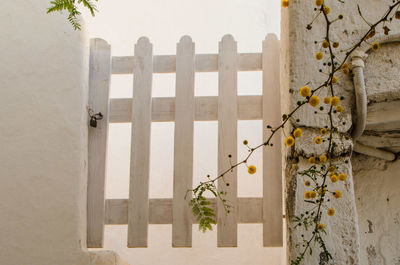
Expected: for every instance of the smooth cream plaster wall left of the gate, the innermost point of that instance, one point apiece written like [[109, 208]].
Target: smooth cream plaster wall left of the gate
[[43, 95]]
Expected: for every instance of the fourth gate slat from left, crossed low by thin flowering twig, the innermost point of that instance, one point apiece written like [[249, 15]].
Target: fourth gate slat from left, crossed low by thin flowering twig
[[227, 139]]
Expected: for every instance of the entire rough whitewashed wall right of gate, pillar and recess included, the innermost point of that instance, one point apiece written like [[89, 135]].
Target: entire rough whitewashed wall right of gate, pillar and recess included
[[348, 227]]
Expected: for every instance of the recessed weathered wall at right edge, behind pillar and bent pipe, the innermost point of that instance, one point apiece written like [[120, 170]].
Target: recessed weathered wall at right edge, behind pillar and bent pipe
[[377, 182]]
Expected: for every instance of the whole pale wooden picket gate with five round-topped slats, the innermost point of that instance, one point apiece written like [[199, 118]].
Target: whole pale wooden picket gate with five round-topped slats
[[139, 210]]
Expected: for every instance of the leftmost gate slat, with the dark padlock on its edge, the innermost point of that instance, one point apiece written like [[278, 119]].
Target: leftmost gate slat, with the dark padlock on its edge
[[99, 86]]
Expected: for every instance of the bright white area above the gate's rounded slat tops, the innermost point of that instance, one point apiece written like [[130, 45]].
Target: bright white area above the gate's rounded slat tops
[[122, 22]]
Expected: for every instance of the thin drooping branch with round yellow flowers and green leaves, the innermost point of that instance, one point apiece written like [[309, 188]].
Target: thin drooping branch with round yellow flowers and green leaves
[[323, 168]]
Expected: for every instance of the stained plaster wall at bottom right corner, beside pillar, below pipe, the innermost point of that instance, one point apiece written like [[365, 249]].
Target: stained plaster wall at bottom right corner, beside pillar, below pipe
[[377, 197]]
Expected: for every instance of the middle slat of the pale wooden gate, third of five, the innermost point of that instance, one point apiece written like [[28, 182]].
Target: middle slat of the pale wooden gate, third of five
[[183, 150]]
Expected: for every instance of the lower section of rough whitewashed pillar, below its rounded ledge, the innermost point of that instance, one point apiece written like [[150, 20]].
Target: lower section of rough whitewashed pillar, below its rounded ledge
[[342, 239]]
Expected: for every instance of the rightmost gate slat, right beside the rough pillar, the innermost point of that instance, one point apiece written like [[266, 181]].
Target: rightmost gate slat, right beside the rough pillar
[[272, 155]]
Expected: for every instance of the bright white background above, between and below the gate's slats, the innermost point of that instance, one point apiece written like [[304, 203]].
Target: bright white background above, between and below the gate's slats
[[121, 23]]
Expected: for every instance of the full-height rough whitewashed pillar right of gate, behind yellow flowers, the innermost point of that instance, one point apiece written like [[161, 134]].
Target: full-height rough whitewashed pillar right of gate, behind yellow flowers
[[300, 67]]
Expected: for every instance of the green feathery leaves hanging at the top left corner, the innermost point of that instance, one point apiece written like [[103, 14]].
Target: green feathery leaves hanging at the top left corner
[[71, 6]]
